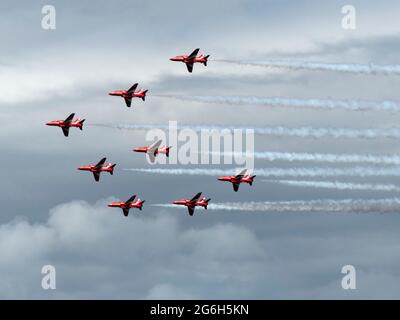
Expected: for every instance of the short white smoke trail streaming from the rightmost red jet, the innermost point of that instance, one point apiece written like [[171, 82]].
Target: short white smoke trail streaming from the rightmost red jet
[[338, 185]]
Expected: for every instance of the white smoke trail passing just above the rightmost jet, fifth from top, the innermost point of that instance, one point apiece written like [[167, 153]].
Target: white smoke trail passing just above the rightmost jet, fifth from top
[[284, 172]]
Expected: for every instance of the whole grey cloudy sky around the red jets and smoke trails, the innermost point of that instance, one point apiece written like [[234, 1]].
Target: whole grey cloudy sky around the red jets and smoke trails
[[53, 214]]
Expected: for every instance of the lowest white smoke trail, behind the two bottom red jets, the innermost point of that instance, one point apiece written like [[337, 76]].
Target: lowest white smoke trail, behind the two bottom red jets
[[334, 206]]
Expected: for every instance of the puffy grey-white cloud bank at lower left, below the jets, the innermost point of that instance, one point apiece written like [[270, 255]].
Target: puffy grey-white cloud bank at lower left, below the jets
[[85, 242]]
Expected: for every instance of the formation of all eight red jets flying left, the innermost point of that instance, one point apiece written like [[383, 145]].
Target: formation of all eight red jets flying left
[[151, 151]]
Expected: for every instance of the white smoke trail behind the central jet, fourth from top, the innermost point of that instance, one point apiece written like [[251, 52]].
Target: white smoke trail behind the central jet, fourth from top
[[320, 157]]
